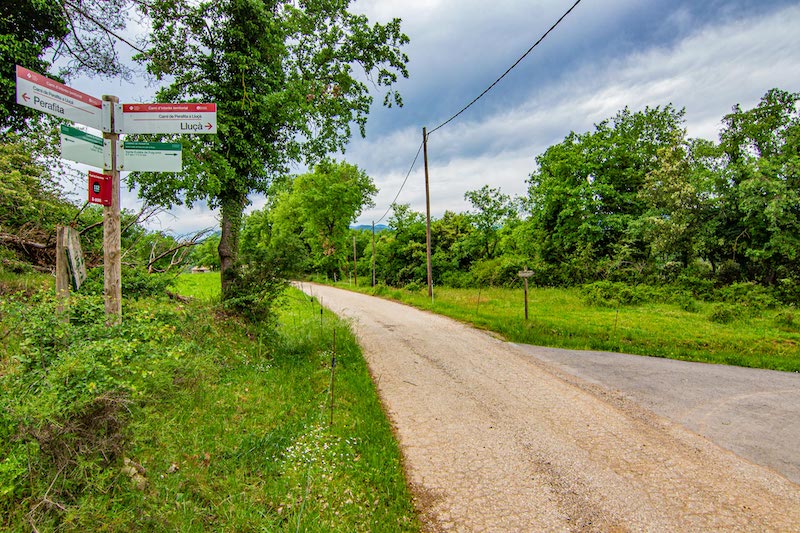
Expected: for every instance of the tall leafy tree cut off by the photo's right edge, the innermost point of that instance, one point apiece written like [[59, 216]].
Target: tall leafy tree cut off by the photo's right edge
[[758, 183]]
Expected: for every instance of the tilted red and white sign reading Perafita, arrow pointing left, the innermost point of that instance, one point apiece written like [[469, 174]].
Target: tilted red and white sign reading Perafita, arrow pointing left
[[49, 96]]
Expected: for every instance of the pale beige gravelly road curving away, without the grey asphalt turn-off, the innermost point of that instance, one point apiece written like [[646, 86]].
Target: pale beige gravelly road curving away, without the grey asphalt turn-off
[[495, 441]]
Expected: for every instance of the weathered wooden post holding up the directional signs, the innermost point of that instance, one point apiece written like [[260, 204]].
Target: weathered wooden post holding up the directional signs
[[112, 256]]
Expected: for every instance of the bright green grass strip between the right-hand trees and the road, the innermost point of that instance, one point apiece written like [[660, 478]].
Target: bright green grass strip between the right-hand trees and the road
[[768, 338]]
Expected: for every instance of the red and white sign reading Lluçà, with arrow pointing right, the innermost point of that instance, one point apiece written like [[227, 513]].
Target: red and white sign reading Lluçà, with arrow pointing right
[[166, 118]]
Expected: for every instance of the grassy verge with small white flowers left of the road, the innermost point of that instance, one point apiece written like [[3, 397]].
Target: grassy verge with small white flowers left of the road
[[231, 425]]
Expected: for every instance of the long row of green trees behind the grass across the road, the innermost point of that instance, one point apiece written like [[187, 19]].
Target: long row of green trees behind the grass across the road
[[635, 200]]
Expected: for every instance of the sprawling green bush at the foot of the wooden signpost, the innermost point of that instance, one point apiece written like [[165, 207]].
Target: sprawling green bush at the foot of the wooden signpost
[[67, 398]]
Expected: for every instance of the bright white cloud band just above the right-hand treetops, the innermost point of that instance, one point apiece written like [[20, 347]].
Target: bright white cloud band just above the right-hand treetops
[[707, 72]]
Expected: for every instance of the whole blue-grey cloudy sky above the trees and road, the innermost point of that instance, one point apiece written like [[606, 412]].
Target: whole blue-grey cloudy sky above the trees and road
[[607, 54]]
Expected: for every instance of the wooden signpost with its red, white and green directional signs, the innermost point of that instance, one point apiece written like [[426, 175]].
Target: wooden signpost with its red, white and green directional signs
[[113, 119]]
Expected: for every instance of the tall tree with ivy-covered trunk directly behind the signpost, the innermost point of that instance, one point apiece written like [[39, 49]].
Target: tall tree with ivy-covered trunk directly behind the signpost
[[282, 76]]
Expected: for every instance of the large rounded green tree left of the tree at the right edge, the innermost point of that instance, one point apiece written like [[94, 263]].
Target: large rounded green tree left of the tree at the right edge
[[585, 195]]
